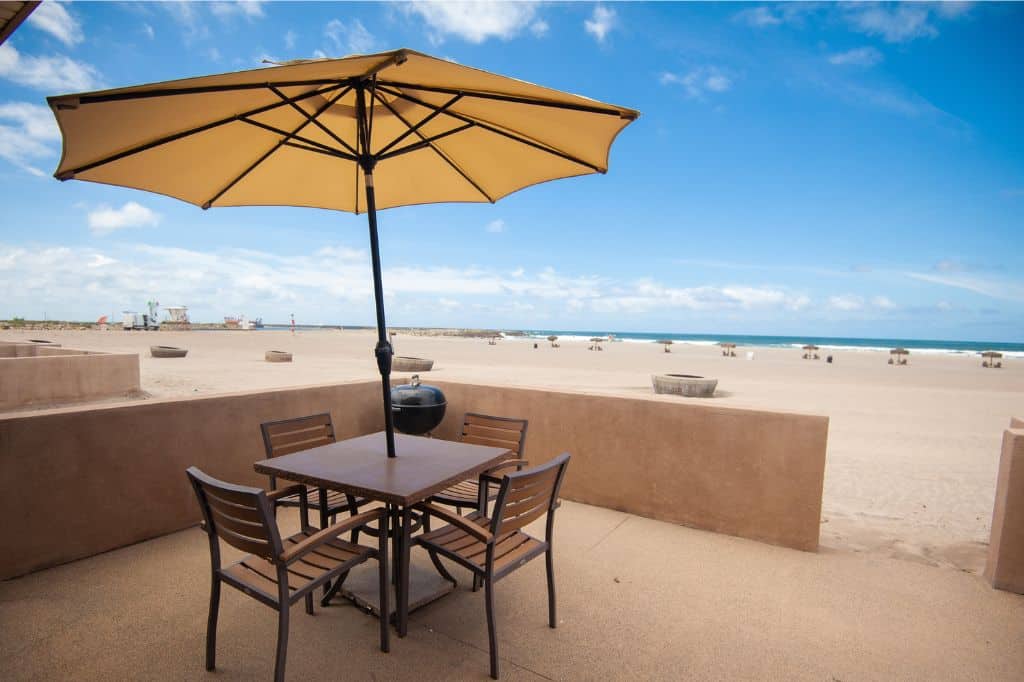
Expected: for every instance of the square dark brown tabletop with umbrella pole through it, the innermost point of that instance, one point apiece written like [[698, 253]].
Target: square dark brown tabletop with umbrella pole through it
[[361, 466]]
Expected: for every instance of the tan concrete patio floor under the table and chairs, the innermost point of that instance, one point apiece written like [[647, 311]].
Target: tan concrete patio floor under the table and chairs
[[638, 600]]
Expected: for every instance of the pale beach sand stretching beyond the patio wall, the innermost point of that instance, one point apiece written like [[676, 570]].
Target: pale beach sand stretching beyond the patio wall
[[913, 451]]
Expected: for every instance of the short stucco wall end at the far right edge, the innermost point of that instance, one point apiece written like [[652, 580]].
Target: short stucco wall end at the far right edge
[[1005, 569]]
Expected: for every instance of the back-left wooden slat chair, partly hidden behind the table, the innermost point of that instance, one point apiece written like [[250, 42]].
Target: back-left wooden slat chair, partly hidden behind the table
[[292, 436]]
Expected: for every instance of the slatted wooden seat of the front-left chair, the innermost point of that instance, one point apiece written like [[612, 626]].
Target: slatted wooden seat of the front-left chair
[[261, 577]]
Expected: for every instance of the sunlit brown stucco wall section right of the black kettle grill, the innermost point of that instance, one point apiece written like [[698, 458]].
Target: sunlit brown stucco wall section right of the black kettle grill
[[743, 473]]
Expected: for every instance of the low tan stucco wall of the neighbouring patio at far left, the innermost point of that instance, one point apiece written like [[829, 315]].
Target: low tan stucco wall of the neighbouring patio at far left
[[37, 375]]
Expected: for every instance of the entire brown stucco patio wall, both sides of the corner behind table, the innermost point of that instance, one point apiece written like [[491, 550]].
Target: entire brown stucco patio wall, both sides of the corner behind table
[[91, 480]]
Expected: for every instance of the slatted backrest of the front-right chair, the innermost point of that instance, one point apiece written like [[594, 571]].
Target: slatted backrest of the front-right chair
[[528, 495]]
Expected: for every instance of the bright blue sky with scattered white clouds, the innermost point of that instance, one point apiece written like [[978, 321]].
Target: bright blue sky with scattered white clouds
[[850, 170]]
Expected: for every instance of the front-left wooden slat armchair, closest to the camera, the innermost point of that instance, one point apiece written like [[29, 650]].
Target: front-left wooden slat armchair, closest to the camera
[[279, 572]]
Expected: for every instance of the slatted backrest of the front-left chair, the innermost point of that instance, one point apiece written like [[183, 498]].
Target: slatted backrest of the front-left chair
[[240, 516]]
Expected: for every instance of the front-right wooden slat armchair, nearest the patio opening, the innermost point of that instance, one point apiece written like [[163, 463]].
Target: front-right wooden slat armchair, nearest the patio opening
[[493, 548]]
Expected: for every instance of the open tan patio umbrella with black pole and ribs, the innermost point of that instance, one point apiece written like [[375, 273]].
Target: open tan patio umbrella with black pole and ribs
[[354, 135]]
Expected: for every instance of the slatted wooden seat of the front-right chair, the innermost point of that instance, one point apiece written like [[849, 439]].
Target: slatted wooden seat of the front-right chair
[[511, 549]]
